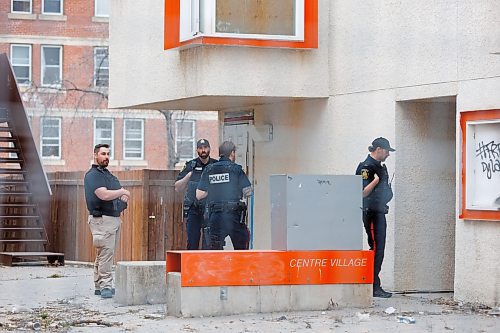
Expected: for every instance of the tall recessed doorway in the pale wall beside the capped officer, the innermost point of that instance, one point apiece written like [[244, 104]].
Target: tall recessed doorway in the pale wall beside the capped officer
[[425, 195]]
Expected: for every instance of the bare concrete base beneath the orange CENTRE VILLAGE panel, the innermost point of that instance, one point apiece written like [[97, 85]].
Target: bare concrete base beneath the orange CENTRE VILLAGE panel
[[231, 300]]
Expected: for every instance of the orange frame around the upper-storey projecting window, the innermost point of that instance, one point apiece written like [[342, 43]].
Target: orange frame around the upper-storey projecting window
[[172, 25]]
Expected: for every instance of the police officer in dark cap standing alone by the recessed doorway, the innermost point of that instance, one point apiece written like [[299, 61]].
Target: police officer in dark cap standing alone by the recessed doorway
[[377, 193]]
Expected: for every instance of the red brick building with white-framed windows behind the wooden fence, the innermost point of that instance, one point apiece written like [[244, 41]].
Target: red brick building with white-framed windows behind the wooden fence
[[59, 53]]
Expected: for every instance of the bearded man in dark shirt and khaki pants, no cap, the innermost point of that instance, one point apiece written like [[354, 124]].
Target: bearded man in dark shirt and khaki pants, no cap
[[105, 199]]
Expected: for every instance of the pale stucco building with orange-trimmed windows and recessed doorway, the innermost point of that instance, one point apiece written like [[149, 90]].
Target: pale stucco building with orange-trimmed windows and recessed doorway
[[310, 98]]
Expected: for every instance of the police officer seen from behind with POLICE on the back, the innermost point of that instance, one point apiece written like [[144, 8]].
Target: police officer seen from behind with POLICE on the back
[[224, 184]]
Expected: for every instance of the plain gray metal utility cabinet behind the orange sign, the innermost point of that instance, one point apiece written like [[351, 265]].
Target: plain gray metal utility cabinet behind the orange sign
[[316, 212]]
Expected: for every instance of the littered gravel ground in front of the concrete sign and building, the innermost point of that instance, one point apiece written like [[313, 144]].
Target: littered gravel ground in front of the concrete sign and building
[[60, 299]]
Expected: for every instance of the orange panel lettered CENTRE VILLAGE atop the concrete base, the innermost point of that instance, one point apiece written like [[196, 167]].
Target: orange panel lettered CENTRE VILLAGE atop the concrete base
[[254, 267]]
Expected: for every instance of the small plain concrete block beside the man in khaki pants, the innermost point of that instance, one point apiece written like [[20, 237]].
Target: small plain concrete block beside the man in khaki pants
[[140, 282]]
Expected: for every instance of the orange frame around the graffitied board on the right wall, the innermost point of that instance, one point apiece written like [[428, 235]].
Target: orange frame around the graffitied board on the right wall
[[469, 214]]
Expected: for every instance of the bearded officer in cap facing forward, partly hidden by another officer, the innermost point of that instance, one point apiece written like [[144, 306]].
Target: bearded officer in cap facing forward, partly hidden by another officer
[[193, 209]]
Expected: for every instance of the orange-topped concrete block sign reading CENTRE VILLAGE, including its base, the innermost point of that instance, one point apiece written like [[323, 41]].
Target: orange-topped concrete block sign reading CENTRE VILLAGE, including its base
[[217, 283]]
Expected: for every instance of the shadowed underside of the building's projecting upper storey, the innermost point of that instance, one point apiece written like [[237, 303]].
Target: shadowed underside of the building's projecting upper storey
[[218, 103]]
